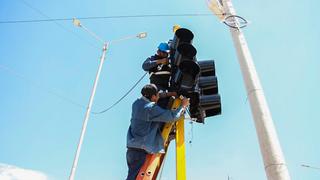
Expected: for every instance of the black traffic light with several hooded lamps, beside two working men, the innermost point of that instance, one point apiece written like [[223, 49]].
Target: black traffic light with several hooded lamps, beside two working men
[[194, 79]]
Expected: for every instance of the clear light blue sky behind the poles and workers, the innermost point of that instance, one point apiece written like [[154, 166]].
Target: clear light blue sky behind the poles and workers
[[40, 130]]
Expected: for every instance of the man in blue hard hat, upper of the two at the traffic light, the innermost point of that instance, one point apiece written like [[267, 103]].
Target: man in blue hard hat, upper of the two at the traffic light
[[159, 70]]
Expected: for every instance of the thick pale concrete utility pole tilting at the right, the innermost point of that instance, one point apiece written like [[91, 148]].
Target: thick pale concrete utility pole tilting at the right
[[274, 162]]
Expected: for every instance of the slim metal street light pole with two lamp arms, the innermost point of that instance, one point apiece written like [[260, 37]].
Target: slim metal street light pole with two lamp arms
[[77, 23]]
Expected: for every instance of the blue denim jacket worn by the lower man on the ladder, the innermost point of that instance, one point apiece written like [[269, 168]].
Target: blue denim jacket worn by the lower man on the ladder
[[146, 120]]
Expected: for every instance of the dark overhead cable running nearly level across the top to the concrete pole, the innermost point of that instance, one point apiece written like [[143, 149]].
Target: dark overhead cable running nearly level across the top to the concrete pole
[[104, 17]]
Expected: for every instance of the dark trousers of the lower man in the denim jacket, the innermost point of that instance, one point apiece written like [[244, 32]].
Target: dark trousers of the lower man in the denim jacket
[[135, 160]]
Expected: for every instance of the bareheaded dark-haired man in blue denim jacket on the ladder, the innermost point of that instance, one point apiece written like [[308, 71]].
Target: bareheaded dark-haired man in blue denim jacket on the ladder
[[144, 135]]
